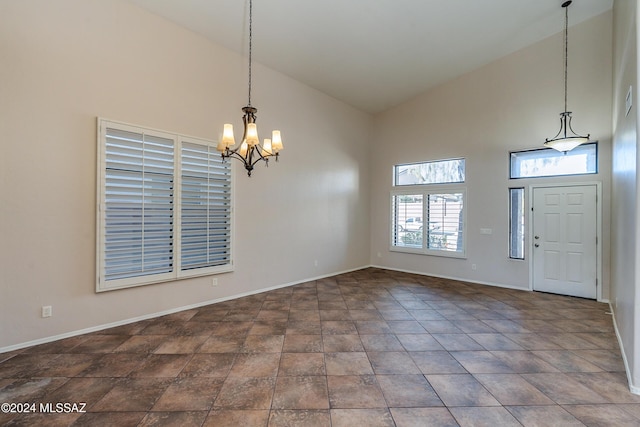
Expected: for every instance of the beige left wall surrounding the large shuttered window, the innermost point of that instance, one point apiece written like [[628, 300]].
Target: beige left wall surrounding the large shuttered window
[[64, 63]]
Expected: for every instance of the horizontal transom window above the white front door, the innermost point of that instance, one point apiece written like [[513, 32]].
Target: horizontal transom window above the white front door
[[549, 162]]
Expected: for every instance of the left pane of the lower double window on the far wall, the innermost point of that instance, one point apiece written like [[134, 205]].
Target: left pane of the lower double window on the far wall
[[407, 220]]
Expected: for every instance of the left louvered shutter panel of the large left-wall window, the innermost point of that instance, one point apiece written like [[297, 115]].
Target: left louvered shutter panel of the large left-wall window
[[138, 204]]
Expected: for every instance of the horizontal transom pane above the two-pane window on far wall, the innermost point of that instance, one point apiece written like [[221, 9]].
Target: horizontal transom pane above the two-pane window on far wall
[[438, 172]]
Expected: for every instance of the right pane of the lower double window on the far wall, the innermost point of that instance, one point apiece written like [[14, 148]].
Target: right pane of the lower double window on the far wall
[[445, 226]]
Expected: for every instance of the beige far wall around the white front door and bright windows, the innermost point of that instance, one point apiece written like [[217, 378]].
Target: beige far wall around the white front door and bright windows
[[510, 104]]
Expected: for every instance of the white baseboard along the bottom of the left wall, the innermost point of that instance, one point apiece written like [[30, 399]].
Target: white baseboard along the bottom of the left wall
[[165, 312]]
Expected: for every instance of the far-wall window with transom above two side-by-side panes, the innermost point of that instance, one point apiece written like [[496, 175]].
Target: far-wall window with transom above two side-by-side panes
[[428, 217]]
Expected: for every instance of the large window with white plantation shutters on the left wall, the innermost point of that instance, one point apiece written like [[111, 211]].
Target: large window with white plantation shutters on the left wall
[[164, 207]]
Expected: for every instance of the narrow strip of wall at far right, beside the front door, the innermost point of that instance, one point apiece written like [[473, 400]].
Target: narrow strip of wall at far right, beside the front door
[[625, 254]]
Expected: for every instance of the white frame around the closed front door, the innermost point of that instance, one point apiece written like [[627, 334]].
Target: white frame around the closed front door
[[529, 219]]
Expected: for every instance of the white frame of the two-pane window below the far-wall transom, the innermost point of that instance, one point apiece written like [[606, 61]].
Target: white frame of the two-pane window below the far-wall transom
[[425, 191]]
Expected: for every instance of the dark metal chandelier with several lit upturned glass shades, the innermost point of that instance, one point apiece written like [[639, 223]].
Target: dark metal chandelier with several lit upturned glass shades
[[249, 151]]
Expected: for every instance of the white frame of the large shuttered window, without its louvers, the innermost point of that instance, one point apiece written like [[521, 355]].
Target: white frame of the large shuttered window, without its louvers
[[102, 284]]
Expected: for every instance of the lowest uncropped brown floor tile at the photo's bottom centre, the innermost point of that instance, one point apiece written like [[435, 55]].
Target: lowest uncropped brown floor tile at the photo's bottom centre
[[302, 392]]
